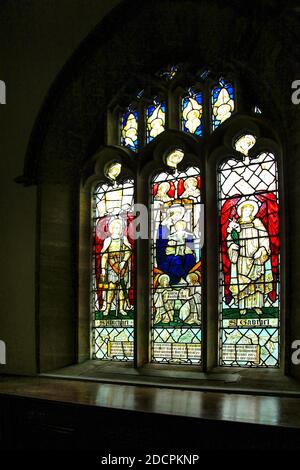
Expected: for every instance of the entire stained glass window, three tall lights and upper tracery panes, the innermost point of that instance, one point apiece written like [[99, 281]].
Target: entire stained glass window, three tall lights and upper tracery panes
[[248, 290]]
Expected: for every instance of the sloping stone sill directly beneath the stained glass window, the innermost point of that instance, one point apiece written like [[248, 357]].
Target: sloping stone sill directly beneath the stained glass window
[[259, 381]]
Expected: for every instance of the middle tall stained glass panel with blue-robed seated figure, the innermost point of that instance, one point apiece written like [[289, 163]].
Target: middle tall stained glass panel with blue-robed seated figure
[[176, 266]]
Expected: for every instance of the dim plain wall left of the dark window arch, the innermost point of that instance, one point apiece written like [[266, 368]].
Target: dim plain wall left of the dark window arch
[[37, 37]]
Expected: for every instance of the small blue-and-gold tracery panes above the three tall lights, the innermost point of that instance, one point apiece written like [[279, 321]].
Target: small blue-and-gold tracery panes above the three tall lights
[[221, 105]]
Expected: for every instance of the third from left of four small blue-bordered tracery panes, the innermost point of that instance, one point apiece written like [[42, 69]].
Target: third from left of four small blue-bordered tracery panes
[[192, 113]]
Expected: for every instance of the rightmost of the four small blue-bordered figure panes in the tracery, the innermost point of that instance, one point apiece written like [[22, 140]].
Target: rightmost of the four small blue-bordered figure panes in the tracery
[[222, 103]]
